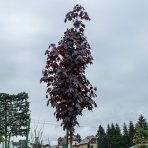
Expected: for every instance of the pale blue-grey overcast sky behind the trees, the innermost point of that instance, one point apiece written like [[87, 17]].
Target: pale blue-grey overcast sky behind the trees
[[118, 35]]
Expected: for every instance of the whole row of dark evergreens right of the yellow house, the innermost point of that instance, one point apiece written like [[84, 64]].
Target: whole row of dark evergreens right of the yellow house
[[130, 135]]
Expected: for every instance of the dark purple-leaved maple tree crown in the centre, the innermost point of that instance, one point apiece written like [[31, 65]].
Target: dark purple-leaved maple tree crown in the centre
[[68, 89]]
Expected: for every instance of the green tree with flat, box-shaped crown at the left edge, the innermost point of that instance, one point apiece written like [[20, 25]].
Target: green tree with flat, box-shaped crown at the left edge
[[14, 115]]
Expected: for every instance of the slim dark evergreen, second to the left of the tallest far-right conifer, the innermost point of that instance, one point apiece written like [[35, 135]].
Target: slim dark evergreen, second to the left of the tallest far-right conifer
[[125, 140]]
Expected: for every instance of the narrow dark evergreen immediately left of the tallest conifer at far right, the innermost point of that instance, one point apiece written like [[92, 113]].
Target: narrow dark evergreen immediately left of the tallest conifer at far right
[[131, 133]]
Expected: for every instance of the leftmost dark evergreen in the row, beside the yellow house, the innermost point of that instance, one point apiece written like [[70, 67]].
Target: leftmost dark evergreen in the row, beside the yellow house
[[101, 138]]
